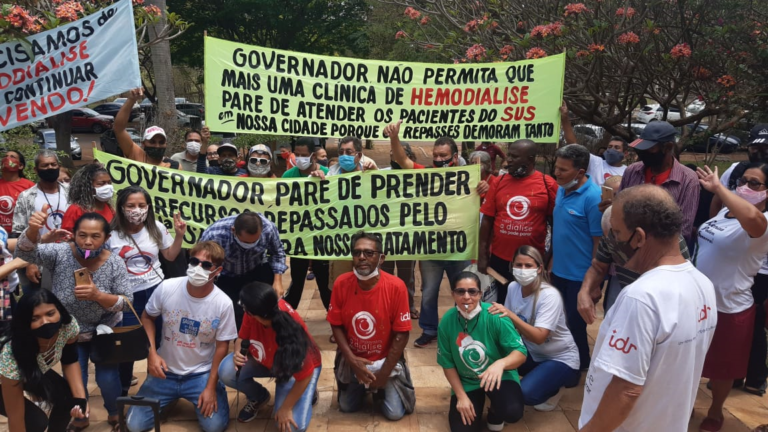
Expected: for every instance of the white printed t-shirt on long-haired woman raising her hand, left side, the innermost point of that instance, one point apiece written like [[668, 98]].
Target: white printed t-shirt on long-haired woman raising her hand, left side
[[143, 265]]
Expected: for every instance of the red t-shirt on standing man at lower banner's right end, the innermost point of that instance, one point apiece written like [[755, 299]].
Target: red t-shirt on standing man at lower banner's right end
[[520, 208]]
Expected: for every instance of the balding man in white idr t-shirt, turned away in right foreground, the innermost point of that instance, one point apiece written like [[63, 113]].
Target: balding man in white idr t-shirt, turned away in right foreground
[[650, 350]]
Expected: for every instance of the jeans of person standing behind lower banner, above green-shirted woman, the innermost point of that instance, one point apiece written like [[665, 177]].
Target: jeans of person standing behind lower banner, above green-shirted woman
[[431, 276]]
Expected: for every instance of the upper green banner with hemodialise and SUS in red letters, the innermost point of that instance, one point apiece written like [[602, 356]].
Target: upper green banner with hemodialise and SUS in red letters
[[268, 91]]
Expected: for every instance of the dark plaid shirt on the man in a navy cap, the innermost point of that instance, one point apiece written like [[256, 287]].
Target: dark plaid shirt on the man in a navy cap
[[682, 184]]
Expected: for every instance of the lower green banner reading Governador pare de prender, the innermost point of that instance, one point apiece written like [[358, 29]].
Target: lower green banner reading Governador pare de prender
[[419, 214]]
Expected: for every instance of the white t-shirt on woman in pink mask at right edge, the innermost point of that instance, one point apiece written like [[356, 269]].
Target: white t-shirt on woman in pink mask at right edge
[[730, 258]]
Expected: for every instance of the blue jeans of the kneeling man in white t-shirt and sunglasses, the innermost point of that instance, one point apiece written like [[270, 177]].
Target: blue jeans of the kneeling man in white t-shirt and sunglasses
[[175, 387]]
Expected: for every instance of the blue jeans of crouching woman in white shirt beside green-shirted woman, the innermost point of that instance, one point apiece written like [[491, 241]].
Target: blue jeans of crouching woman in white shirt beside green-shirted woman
[[543, 380]]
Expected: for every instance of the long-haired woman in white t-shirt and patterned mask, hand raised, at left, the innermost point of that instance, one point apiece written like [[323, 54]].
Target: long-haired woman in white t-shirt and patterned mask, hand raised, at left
[[139, 239]]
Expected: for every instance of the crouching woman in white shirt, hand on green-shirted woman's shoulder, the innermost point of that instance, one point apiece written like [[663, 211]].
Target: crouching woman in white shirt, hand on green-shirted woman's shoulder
[[536, 309]]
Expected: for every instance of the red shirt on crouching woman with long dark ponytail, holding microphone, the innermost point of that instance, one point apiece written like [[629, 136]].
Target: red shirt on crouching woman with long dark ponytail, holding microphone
[[264, 345]]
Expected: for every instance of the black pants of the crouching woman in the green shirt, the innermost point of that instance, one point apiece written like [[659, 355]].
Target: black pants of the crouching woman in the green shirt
[[506, 406]]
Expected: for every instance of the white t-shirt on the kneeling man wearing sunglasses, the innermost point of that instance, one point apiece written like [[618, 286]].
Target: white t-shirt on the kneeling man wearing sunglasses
[[191, 326]]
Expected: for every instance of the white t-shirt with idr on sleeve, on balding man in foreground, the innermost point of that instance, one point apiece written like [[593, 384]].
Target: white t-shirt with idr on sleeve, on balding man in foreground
[[656, 335]]
